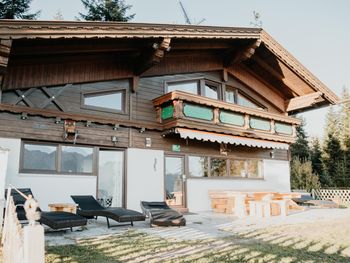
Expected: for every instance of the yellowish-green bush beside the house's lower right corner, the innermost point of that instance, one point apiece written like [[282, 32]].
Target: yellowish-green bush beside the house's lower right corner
[[302, 176]]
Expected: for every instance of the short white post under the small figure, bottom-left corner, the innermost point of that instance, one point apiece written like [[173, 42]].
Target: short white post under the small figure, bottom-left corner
[[34, 245]]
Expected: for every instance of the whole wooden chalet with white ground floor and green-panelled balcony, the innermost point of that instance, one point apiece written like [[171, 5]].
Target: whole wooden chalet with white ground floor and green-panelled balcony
[[130, 112]]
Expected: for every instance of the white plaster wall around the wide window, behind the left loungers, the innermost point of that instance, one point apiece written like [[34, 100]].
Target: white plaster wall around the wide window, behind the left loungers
[[48, 188]]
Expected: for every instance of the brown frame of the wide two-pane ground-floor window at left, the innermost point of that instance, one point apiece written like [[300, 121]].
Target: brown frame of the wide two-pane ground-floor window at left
[[58, 161]]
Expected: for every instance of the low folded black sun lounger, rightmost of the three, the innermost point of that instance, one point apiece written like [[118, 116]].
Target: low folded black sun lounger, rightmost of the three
[[161, 214]]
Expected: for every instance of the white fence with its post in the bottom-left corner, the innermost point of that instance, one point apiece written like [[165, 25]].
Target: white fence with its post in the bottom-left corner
[[21, 244]]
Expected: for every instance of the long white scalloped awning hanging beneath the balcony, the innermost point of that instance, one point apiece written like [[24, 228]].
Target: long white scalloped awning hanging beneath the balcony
[[231, 139]]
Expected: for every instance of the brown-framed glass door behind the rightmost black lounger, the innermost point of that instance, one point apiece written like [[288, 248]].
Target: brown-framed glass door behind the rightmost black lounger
[[175, 181]]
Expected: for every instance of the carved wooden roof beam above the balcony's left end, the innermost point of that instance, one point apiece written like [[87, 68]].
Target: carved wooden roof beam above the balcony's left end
[[150, 59]]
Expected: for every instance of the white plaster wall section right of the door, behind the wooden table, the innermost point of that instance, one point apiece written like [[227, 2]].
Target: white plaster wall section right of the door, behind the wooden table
[[276, 178]]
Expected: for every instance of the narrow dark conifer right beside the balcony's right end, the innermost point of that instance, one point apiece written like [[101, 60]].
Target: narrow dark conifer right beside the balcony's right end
[[300, 149]]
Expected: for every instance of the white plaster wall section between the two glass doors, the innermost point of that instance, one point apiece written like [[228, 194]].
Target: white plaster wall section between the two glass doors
[[145, 177]]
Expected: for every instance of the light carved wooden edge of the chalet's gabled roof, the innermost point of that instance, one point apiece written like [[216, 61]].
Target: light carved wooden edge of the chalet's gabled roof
[[27, 29]]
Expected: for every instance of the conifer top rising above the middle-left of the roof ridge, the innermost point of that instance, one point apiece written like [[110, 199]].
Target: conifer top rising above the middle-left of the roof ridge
[[106, 10]]
